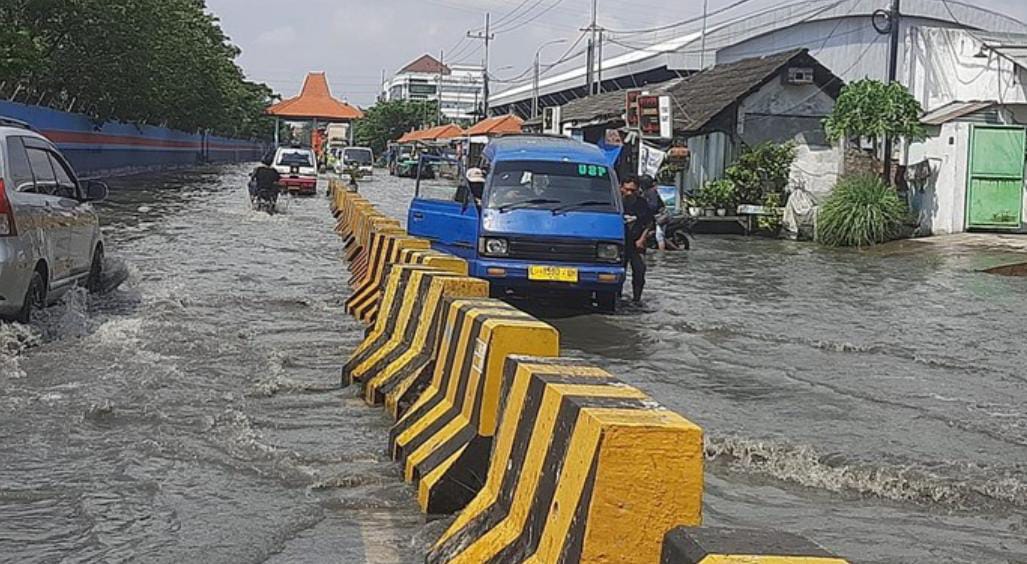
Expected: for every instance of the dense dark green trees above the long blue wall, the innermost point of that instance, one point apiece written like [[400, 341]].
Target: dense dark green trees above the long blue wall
[[157, 62]]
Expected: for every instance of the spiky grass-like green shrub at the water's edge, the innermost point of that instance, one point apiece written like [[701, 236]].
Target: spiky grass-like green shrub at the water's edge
[[862, 211]]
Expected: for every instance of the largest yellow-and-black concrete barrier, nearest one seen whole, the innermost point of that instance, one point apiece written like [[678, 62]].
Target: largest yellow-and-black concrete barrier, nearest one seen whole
[[584, 469]]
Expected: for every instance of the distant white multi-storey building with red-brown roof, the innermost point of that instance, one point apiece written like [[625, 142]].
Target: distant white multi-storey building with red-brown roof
[[459, 87]]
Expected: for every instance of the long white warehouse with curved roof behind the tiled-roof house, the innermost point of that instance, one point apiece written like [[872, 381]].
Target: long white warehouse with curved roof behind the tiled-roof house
[[841, 34]]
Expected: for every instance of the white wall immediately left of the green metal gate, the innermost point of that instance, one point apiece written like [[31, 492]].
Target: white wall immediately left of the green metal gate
[[943, 203]]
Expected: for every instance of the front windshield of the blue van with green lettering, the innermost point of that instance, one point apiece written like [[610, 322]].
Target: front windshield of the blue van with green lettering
[[547, 185]]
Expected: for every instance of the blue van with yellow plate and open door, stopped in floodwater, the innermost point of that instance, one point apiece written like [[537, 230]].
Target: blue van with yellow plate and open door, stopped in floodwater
[[550, 221]]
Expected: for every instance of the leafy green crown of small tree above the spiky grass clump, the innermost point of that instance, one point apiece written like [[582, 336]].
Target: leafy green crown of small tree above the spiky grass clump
[[873, 109]]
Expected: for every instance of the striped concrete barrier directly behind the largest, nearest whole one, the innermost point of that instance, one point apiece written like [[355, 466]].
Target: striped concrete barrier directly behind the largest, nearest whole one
[[444, 441]]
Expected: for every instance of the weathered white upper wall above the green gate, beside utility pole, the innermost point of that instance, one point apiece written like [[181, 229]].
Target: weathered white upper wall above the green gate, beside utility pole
[[943, 68]]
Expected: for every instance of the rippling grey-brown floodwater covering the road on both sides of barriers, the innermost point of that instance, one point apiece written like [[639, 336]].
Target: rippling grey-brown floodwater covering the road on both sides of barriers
[[873, 402]]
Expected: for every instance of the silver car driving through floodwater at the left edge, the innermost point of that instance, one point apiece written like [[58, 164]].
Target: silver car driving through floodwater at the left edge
[[50, 235]]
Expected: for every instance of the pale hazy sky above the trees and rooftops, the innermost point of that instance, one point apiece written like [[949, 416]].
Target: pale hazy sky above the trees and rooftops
[[355, 41]]
